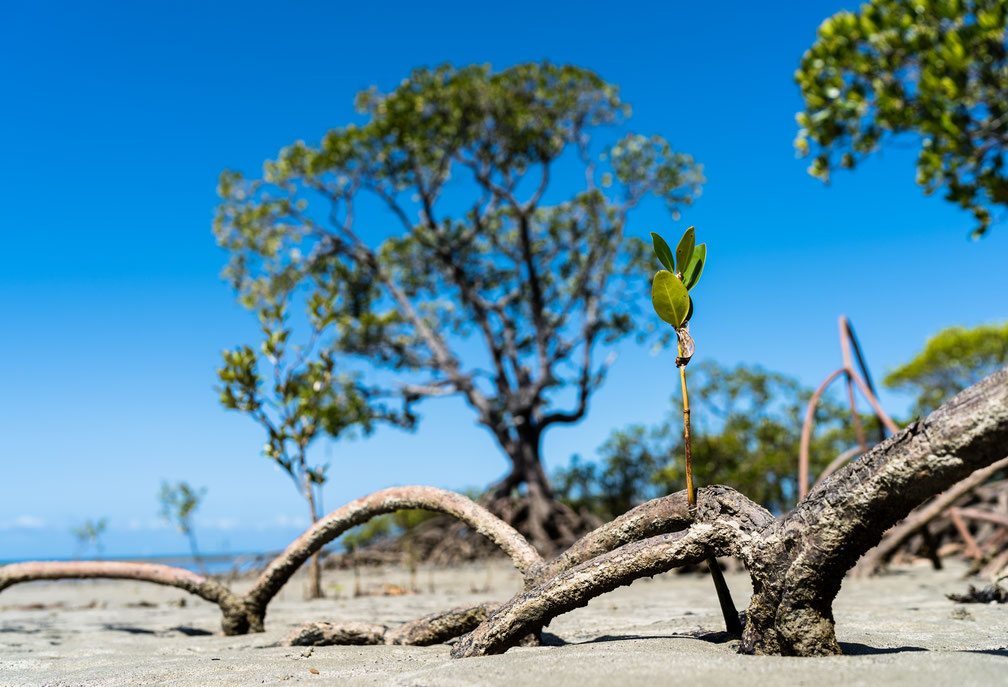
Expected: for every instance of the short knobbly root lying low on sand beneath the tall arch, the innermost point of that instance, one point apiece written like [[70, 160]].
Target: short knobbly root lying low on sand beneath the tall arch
[[433, 629]]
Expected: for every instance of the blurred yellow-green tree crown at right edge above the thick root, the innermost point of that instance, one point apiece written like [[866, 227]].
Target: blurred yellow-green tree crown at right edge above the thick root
[[952, 361]]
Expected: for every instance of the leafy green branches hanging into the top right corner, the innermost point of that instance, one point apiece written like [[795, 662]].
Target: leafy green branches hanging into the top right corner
[[935, 68]]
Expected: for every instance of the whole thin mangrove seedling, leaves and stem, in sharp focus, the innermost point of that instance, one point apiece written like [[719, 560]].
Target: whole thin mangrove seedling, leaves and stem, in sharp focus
[[671, 297]]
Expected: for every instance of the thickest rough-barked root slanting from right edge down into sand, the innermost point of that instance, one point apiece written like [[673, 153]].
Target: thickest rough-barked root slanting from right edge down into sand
[[798, 568]]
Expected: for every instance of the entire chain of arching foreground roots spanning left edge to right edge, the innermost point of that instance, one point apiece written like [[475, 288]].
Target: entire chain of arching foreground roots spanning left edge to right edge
[[797, 565]]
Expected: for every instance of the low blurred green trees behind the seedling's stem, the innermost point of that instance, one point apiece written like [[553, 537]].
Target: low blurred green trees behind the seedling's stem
[[746, 436]]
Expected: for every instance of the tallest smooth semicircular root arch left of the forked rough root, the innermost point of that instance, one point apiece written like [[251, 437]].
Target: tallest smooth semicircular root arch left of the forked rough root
[[526, 559]]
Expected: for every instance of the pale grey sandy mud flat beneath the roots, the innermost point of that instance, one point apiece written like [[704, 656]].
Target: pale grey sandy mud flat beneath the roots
[[896, 630]]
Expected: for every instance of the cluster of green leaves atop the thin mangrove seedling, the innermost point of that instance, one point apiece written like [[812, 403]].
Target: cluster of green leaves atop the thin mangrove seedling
[[671, 291]]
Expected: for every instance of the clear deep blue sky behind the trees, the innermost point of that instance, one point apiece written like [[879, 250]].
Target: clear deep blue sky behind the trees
[[118, 119]]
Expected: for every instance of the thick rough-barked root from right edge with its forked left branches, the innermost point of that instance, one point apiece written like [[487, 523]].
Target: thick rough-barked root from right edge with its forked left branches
[[797, 565]]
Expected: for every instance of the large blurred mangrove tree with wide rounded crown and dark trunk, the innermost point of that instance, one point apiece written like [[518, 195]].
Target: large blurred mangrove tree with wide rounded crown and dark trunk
[[482, 277]]
